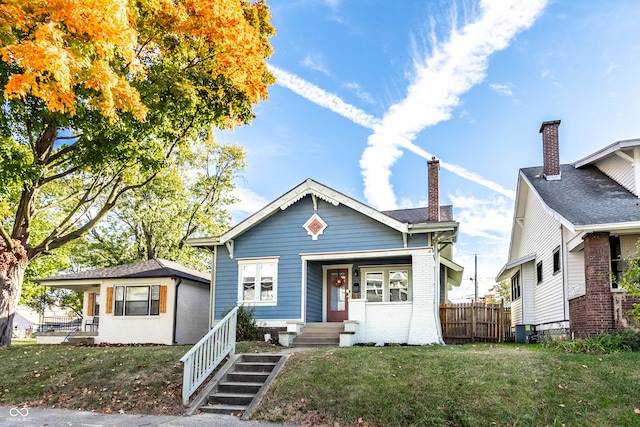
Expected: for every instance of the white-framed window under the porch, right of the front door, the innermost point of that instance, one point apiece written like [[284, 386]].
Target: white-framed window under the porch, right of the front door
[[387, 284]]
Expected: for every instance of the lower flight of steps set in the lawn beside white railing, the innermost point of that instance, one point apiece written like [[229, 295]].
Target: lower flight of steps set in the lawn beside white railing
[[238, 387]]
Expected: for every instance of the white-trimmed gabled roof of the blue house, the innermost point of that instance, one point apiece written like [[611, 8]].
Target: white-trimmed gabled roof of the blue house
[[400, 220]]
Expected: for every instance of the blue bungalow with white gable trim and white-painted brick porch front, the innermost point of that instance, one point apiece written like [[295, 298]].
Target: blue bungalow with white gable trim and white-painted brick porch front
[[315, 255]]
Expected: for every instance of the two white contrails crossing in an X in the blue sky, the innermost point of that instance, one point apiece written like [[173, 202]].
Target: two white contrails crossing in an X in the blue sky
[[438, 81]]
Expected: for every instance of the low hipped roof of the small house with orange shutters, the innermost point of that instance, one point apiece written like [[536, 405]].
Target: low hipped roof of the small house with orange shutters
[[144, 269]]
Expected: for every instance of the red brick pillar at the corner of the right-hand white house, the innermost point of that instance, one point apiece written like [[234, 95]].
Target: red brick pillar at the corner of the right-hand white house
[[592, 313]]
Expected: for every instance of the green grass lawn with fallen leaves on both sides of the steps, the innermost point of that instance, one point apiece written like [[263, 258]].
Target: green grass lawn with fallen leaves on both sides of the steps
[[471, 385]]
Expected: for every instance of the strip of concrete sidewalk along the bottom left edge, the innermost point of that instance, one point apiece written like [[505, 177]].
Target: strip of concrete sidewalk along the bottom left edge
[[28, 417]]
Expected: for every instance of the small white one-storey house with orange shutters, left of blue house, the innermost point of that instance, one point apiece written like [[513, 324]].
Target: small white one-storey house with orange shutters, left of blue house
[[148, 302]]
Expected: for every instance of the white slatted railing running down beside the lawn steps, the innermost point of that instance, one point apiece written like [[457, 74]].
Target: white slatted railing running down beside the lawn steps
[[206, 355]]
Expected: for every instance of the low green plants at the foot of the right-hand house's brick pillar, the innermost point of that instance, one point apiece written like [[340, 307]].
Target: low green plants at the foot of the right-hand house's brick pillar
[[605, 343]]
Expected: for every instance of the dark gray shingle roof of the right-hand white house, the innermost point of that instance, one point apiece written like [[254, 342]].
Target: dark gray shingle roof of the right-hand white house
[[585, 196]]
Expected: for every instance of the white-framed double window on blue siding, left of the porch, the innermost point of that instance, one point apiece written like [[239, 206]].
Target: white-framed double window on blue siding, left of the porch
[[258, 281]]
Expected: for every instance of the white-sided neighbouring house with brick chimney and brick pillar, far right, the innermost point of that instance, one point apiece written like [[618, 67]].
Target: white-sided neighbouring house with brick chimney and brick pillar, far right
[[573, 226]]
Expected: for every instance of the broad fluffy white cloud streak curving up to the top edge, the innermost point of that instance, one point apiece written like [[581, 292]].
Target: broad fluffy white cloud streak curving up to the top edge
[[439, 79]]
